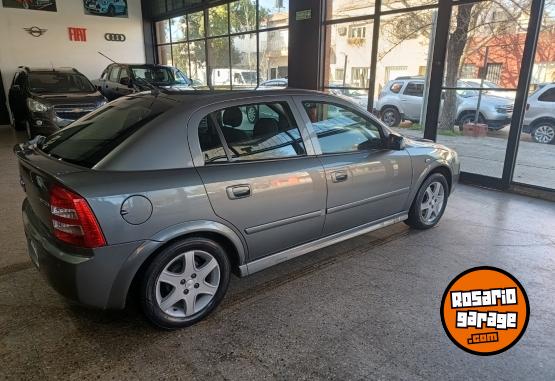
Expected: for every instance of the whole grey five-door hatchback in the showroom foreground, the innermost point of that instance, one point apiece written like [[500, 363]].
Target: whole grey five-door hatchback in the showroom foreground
[[171, 193]]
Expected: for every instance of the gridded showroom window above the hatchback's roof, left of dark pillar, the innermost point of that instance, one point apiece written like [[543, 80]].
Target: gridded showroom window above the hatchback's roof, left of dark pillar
[[230, 46]]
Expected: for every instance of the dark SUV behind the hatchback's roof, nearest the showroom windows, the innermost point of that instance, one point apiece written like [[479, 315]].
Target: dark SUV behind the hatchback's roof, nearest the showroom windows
[[118, 80]]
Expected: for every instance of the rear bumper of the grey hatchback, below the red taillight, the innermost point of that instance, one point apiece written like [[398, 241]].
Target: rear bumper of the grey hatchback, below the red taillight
[[87, 276]]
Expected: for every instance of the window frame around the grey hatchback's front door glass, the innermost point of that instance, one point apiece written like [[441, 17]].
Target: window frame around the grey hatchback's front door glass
[[384, 133]]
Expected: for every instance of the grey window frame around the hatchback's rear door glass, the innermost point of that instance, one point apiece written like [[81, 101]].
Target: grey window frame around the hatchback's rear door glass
[[200, 113]]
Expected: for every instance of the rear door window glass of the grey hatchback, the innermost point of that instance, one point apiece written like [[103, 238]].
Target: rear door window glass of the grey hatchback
[[252, 132]]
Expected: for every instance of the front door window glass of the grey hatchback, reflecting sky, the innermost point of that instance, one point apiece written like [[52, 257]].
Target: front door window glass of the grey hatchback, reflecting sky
[[340, 129]]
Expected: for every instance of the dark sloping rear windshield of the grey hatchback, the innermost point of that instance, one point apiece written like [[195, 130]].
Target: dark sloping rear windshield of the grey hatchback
[[93, 137]]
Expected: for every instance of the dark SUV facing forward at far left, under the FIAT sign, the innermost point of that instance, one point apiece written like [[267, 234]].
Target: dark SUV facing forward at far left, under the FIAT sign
[[44, 100]]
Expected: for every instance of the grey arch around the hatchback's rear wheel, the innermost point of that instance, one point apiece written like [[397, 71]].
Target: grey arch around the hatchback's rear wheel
[[126, 284]]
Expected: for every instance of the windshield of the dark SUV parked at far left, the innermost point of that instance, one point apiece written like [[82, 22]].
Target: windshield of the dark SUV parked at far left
[[56, 82]]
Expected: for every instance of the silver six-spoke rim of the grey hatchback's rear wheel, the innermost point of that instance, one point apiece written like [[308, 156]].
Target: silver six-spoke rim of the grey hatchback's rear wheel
[[188, 283]]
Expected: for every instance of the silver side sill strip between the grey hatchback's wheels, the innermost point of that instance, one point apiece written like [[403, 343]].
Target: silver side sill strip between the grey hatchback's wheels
[[274, 259]]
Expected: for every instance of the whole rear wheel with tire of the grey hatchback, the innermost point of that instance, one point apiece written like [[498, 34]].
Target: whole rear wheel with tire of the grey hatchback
[[172, 283]]
